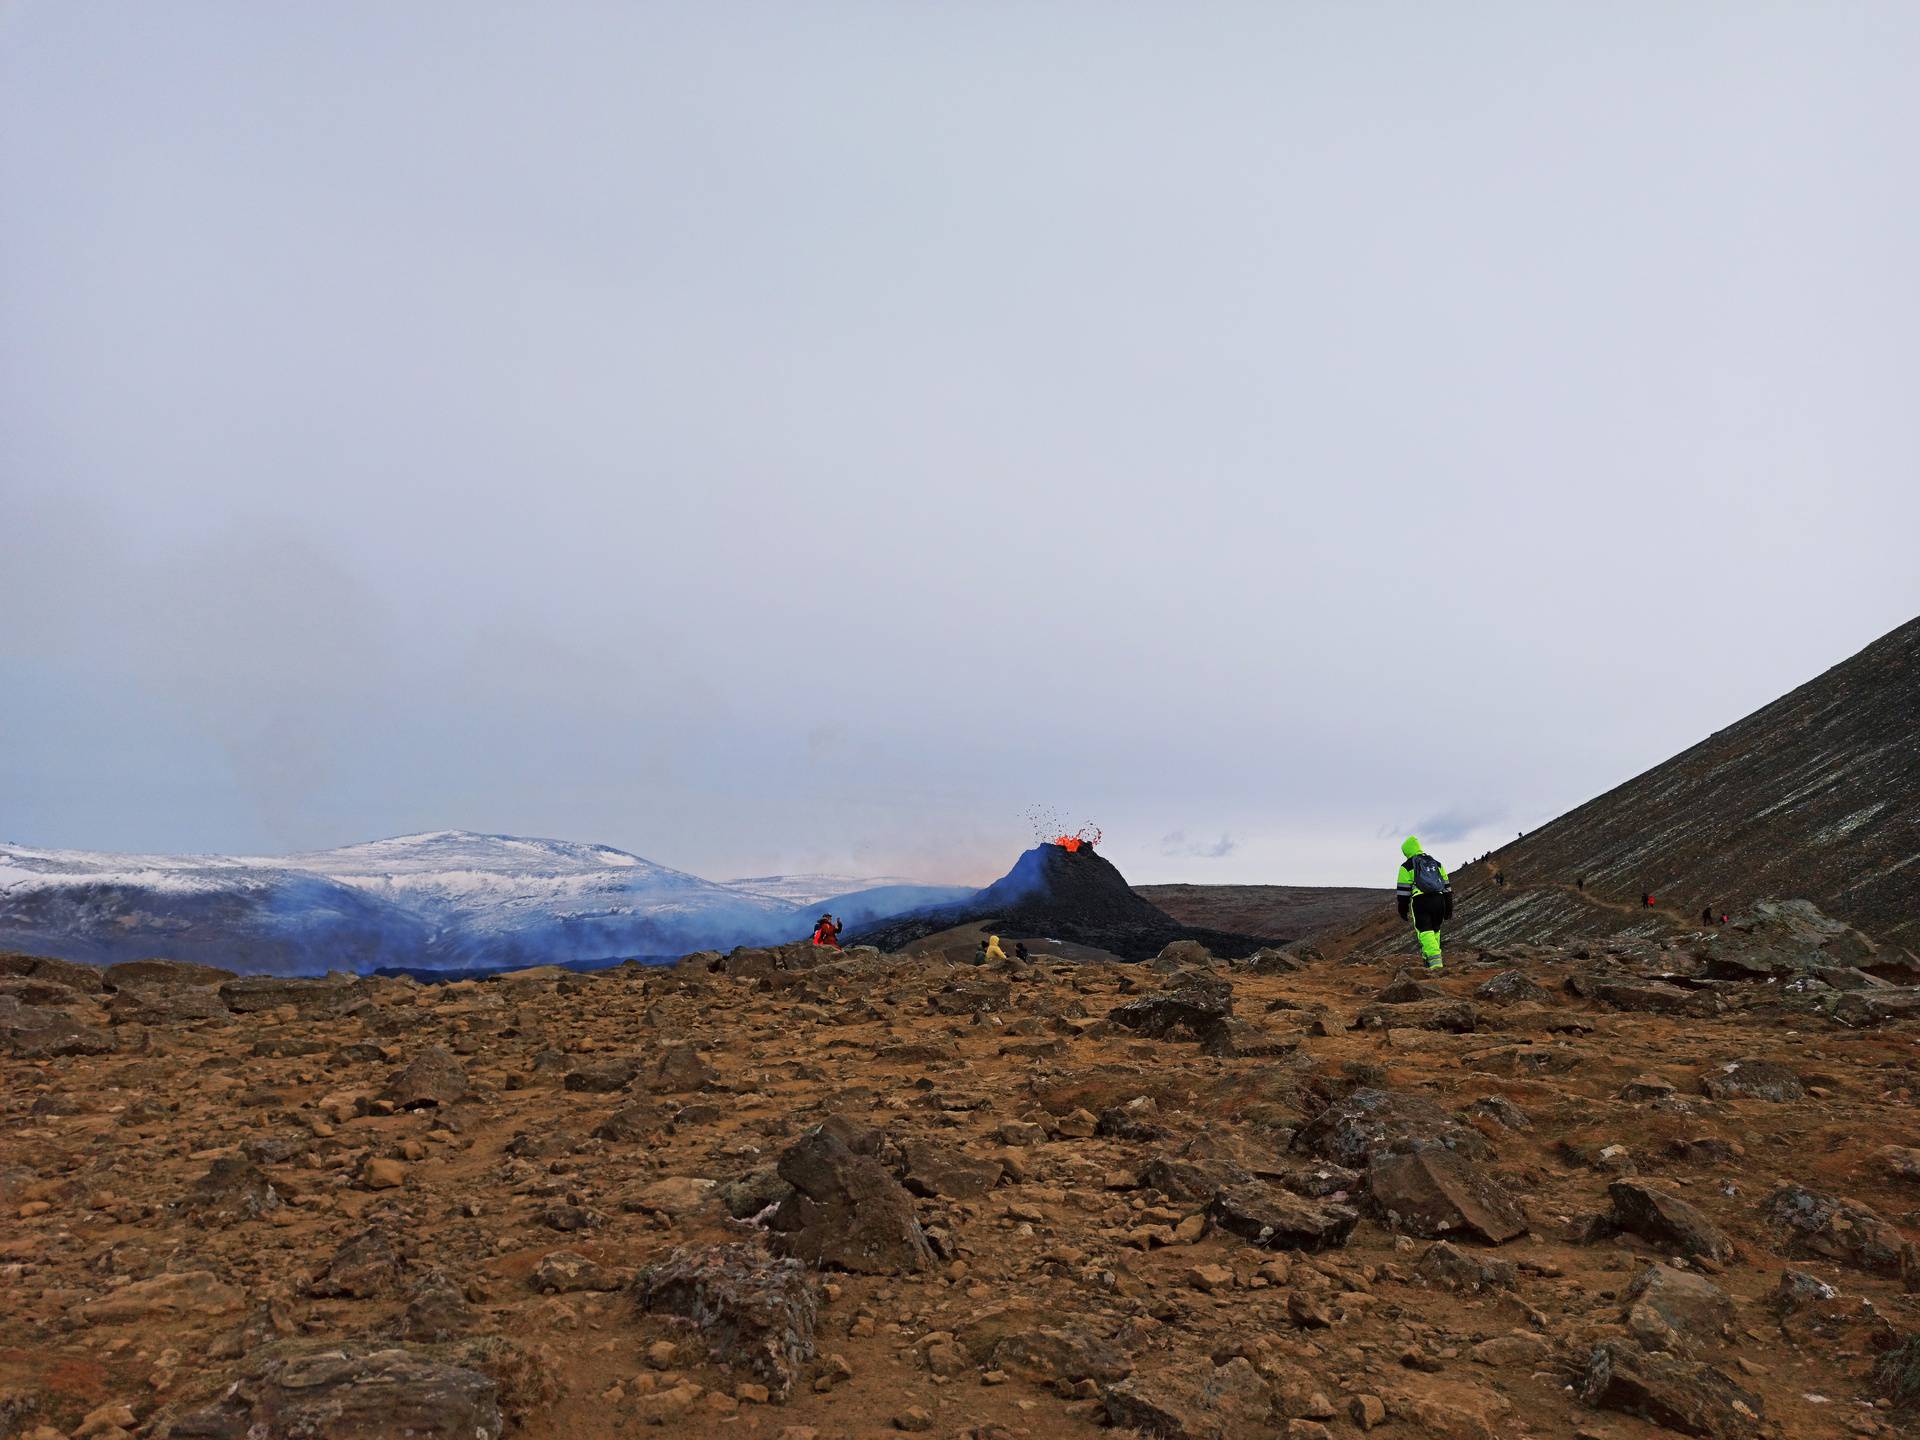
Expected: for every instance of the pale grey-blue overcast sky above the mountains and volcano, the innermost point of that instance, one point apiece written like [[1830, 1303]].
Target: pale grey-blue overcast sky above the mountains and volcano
[[780, 439]]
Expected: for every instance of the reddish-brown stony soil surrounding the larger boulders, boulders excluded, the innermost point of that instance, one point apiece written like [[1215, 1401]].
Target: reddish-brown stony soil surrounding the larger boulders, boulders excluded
[[101, 1157]]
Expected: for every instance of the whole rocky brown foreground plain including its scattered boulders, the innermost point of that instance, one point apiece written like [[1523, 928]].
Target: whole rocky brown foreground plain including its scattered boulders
[[1595, 1191]]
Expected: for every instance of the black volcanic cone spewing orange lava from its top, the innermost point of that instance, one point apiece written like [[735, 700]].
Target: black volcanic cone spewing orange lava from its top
[[1065, 890]]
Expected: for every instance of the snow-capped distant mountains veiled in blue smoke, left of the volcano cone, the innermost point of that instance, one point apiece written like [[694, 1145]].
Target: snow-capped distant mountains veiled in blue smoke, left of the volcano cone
[[446, 900]]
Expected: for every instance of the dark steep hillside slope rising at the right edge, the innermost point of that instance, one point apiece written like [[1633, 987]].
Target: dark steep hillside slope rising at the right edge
[[1815, 798]]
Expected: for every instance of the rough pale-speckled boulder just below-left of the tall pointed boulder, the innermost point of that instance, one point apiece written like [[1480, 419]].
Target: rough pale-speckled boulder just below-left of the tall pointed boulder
[[746, 1307]]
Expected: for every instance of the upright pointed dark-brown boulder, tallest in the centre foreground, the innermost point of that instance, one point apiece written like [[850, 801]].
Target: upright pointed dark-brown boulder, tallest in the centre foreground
[[846, 1211]]
